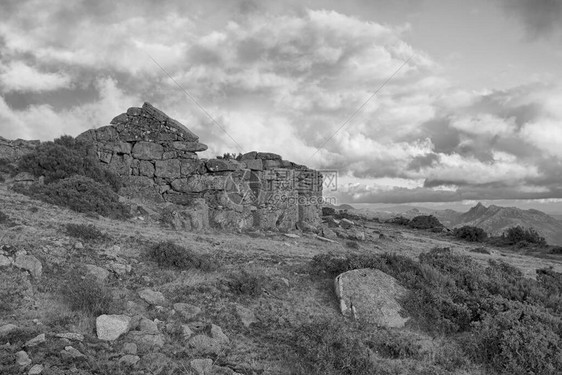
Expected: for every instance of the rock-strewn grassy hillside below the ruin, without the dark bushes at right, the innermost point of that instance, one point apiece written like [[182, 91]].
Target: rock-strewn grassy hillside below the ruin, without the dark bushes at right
[[84, 294]]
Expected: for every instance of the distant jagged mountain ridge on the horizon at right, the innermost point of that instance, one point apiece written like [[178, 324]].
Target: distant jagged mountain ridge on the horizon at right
[[495, 220]]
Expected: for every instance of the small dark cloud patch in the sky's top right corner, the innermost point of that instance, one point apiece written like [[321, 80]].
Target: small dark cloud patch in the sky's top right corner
[[540, 17]]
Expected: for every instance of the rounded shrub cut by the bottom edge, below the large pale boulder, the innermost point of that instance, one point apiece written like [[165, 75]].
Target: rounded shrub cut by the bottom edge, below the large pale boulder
[[330, 348]]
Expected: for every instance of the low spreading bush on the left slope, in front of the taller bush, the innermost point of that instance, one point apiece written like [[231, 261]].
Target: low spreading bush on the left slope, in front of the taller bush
[[81, 194]]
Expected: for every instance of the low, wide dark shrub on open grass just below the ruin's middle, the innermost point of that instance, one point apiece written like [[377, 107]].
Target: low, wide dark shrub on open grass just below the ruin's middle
[[168, 254]]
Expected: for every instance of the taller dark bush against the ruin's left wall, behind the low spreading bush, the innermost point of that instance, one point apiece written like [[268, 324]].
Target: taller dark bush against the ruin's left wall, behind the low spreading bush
[[66, 157]]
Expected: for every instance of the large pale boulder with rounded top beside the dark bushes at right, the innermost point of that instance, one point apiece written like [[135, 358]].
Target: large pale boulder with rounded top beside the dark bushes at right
[[370, 296]]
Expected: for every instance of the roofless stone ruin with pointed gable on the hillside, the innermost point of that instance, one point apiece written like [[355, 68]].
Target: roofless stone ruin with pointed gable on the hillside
[[156, 156]]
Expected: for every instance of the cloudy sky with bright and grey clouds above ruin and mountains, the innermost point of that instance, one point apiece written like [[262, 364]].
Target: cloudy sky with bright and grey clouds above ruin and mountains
[[473, 110]]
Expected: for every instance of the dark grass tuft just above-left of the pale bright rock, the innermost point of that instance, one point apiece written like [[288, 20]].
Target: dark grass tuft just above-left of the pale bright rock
[[85, 294]]
